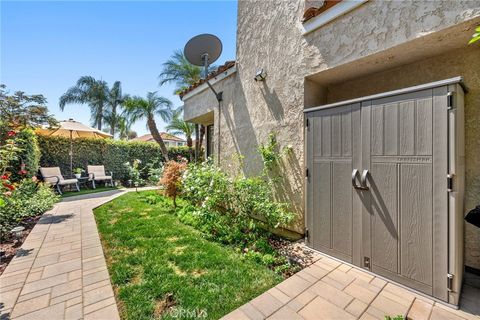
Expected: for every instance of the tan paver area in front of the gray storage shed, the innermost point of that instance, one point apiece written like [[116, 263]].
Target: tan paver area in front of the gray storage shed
[[329, 289]]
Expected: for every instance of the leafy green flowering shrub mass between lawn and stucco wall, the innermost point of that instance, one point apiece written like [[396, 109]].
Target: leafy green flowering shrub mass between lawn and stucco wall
[[235, 211]]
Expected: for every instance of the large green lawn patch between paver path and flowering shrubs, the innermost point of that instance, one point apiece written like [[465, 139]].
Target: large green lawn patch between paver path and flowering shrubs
[[161, 268]]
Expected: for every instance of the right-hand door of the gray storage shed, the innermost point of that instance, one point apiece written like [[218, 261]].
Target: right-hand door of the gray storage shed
[[398, 215]]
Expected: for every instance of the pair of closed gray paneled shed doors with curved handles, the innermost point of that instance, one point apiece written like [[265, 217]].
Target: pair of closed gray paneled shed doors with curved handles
[[376, 186]]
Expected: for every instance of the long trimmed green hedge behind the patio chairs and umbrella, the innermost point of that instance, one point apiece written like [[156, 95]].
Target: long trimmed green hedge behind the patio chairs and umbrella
[[111, 153]]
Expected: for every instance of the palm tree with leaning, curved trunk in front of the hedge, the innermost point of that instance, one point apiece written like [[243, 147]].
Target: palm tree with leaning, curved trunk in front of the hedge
[[139, 108]]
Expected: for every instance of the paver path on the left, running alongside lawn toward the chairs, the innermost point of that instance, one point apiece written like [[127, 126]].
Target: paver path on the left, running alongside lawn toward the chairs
[[60, 271]]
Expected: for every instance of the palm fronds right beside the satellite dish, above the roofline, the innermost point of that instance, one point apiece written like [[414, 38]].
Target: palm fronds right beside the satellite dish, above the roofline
[[177, 69]]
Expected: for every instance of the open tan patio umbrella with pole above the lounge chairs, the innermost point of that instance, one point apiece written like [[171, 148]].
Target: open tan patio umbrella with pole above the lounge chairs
[[72, 129]]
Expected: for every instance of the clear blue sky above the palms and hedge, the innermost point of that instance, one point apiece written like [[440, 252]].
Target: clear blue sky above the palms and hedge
[[47, 46]]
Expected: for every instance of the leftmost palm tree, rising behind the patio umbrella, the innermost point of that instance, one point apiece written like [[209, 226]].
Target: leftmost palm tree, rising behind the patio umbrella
[[88, 91]]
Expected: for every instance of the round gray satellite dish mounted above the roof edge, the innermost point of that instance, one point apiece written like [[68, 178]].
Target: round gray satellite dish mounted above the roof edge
[[201, 46]]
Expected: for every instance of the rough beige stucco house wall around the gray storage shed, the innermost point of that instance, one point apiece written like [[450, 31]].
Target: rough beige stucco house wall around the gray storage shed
[[307, 70]]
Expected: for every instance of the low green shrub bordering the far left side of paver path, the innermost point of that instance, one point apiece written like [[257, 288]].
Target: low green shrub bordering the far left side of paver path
[[27, 200]]
